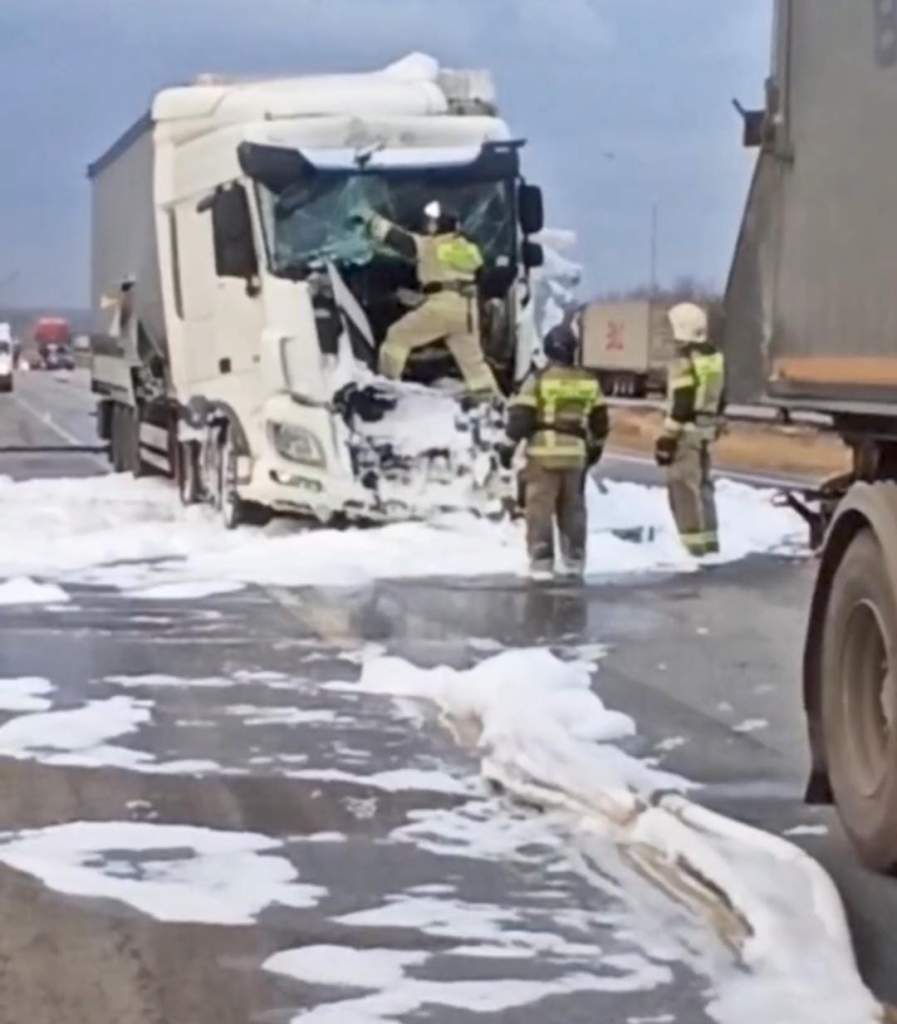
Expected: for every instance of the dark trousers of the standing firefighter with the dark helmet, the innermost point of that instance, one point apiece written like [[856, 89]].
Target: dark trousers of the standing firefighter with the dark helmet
[[556, 495]]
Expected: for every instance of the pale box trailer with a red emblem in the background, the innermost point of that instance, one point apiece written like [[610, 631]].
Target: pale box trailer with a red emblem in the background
[[630, 345]]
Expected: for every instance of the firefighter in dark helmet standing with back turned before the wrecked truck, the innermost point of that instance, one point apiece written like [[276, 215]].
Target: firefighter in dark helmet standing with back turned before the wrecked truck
[[563, 416]]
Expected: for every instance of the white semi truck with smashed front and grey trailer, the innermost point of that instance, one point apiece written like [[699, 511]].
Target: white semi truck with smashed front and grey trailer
[[241, 304]]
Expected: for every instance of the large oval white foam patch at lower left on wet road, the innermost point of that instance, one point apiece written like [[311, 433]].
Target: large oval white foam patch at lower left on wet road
[[170, 873]]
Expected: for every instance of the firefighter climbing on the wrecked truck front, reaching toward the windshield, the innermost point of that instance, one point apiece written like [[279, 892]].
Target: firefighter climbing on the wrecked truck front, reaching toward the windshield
[[448, 264]]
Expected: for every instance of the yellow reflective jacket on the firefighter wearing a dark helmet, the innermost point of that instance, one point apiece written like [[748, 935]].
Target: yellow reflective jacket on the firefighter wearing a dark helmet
[[564, 399]]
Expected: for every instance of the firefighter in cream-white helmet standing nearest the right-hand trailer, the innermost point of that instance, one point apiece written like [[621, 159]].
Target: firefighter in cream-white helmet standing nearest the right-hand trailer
[[695, 419]]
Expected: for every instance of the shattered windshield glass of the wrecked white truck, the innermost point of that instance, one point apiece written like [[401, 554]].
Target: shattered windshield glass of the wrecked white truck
[[317, 221]]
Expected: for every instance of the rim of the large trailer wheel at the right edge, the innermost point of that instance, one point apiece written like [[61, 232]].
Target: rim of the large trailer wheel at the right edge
[[867, 696]]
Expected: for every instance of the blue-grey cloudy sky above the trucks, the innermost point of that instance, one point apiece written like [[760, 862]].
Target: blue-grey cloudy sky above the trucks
[[625, 103]]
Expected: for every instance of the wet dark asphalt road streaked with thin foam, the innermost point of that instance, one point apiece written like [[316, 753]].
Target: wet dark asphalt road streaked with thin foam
[[248, 743]]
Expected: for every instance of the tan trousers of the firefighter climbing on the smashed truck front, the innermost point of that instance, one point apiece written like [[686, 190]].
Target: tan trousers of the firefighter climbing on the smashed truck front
[[448, 318]]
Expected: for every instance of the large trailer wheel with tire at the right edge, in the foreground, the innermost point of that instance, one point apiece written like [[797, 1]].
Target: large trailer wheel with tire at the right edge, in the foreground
[[860, 701]]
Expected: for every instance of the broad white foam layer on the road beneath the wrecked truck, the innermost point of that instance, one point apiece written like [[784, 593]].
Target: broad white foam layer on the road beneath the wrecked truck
[[134, 535]]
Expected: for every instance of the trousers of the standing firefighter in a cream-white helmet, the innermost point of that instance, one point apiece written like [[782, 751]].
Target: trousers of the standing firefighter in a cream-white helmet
[[692, 496]]
